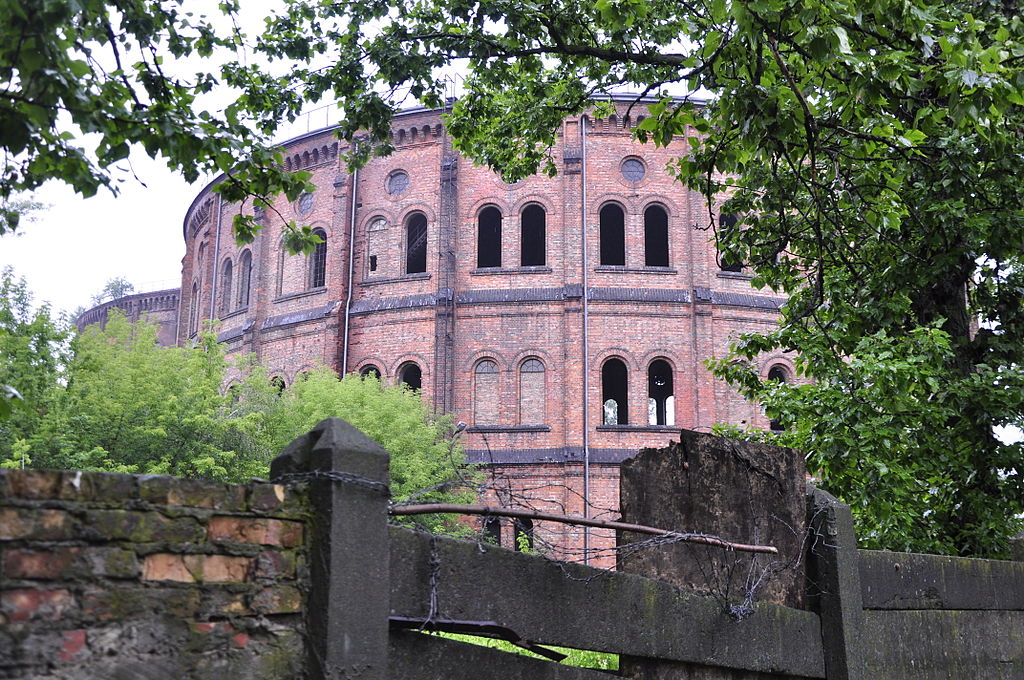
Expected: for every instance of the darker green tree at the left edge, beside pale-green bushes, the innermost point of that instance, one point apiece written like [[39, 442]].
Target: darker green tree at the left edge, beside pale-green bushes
[[33, 349]]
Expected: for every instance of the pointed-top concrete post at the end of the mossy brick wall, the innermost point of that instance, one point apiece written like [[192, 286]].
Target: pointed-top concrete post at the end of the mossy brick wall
[[349, 603]]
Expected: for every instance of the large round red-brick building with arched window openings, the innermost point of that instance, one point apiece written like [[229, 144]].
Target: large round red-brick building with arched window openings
[[564, 320]]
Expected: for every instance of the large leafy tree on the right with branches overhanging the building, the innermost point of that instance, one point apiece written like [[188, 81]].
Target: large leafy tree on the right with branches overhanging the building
[[872, 153]]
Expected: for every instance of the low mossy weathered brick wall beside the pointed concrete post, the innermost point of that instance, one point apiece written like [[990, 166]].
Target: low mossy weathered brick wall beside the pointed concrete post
[[109, 576]]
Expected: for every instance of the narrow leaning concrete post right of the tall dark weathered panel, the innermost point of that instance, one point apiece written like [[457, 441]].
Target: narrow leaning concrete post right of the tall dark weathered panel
[[835, 574]]
